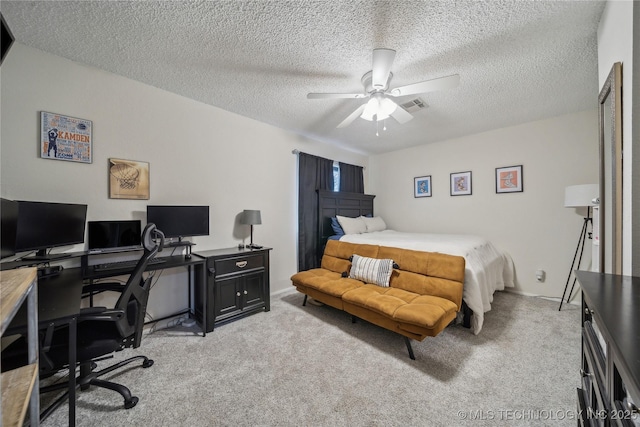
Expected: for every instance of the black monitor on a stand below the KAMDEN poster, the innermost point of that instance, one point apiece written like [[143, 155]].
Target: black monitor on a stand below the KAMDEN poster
[[44, 225]]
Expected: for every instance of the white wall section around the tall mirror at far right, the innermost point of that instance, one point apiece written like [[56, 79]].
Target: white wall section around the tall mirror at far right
[[615, 44]]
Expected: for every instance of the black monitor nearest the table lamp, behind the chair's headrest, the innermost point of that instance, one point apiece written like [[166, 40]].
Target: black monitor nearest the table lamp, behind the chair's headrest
[[180, 221]]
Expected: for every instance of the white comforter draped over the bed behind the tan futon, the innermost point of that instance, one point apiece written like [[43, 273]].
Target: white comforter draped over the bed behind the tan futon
[[487, 269]]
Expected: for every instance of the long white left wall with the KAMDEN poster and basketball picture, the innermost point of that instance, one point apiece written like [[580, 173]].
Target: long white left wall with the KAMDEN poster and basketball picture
[[198, 154]]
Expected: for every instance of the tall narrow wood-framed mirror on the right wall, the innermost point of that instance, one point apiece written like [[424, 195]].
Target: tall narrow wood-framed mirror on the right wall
[[610, 224]]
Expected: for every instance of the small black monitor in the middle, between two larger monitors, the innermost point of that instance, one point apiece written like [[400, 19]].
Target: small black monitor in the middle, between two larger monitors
[[114, 236]]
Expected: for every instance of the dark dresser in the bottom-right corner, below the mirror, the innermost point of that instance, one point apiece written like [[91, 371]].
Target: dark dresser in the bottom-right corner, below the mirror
[[610, 386]]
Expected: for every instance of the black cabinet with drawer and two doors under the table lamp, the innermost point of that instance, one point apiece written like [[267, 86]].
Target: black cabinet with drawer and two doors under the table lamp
[[237, 284]]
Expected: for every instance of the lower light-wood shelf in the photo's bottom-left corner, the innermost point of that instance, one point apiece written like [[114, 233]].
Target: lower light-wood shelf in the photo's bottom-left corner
[[16, 389]]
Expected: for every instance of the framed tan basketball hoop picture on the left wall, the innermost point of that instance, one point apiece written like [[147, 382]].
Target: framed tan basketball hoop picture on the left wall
[[128, 179]]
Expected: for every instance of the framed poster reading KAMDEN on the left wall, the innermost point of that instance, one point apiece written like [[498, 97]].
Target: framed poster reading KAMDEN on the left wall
[[65, 138]]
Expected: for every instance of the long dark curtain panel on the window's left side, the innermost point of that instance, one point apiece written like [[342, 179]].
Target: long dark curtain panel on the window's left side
[[314, 173]]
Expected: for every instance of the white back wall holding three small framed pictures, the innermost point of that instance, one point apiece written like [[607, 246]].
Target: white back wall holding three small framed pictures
[[532, 226]]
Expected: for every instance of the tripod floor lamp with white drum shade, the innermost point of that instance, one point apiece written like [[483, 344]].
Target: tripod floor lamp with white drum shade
[[579, 196]]
